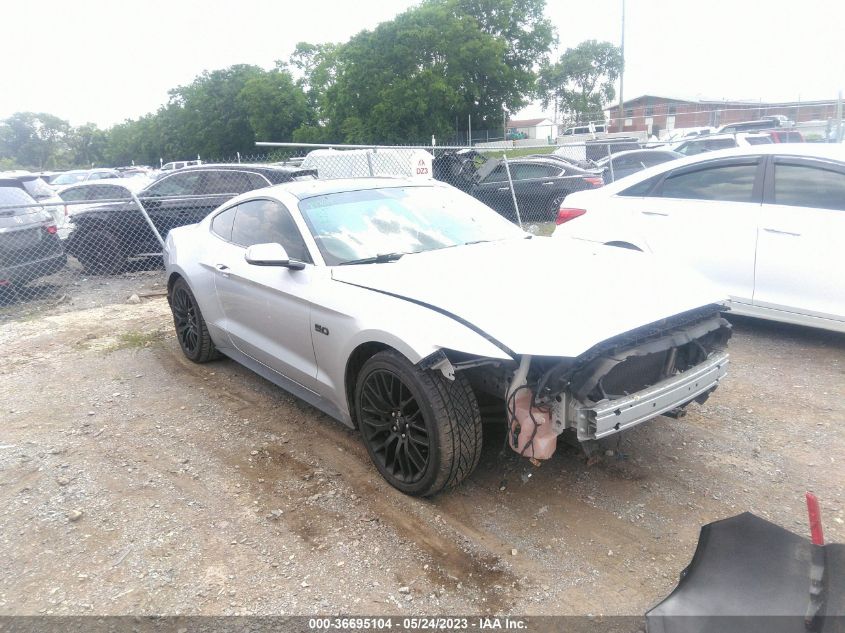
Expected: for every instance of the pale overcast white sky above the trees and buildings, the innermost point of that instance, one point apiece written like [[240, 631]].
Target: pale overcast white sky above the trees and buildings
[[104, 62]]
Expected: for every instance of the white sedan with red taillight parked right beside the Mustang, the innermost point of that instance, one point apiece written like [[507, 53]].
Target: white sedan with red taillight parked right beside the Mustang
[[765, 223]]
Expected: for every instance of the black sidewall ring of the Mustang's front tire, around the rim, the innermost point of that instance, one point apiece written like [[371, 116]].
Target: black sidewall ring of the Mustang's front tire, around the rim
[[413, 380]]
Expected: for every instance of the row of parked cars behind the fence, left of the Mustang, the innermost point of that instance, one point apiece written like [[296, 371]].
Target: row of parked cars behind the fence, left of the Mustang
[[98, 223]]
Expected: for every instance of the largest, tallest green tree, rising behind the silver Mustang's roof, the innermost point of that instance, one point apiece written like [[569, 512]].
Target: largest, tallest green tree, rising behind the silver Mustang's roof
[[417, 74]]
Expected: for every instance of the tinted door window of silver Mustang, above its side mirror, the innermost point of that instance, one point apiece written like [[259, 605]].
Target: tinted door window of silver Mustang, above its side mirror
[[263, 221]]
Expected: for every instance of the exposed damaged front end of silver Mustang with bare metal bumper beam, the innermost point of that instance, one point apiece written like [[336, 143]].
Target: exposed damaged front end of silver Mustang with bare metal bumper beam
[[654, 370]]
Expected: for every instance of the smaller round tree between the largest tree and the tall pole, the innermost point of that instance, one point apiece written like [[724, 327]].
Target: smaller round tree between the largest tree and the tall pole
[[581, 83]]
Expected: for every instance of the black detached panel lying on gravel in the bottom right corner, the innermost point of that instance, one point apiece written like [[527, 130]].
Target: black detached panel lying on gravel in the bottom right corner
[[751, 576]]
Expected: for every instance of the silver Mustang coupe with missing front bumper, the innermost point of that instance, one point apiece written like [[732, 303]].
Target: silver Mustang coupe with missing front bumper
[[397, 305]]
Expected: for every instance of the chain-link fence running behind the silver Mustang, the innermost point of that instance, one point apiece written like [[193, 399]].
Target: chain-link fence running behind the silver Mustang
[[98, 241]]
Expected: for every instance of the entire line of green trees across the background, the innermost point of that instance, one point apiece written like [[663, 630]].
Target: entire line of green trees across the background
[[421, 74]]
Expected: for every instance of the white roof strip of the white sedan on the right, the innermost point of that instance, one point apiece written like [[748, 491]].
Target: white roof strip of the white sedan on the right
[[830, 151]]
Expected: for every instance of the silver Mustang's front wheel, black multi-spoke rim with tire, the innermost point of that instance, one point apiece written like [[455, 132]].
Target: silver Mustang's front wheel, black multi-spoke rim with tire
[[422, 430]]
